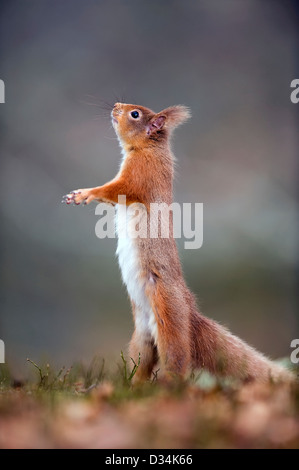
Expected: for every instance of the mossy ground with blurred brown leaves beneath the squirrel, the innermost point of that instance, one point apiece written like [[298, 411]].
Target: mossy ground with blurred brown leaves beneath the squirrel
[[90, 407]]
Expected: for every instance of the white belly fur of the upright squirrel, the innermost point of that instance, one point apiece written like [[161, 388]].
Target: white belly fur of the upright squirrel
[[129, 262]]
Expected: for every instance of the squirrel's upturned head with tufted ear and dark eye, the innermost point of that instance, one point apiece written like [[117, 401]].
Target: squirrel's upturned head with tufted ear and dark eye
[[137, 125]]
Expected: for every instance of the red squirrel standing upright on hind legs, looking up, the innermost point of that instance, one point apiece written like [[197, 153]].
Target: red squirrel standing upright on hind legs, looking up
[[168, 326]]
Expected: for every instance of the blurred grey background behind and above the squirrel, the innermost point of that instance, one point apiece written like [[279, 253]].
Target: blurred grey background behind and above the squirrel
[[232, 62]]
